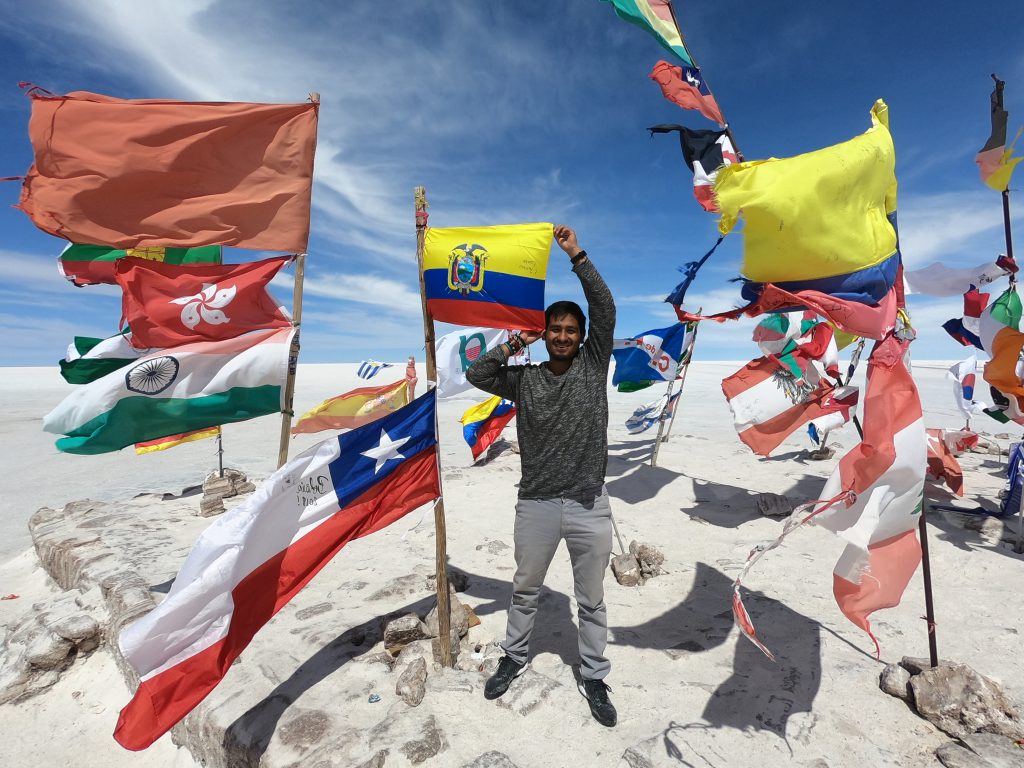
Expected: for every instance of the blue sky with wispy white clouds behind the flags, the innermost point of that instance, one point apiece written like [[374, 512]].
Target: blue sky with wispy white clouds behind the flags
[[527, 111]]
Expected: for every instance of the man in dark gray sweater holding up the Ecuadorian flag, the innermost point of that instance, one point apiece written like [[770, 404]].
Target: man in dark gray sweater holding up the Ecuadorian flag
[[563, 426]]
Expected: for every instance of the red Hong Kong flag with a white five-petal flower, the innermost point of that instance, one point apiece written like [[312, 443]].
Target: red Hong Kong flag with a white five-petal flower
[[167, 305]]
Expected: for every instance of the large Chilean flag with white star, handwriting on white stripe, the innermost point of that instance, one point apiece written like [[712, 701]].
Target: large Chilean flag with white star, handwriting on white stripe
[[246, 568]]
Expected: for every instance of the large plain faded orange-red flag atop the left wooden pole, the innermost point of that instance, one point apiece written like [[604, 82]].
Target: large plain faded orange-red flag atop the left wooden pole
[[148, 173]]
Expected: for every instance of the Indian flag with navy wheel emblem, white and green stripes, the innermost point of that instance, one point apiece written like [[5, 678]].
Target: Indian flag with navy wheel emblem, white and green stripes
[[170, 392]]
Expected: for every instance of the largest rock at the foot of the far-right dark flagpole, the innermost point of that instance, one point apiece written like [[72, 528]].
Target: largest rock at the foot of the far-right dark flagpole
[[960, 702]]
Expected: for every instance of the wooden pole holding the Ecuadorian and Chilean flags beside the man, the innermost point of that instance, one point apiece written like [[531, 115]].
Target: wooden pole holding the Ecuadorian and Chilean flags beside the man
[[444, 606]]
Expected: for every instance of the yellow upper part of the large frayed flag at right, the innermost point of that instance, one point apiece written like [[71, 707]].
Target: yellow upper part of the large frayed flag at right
[[817, 216]]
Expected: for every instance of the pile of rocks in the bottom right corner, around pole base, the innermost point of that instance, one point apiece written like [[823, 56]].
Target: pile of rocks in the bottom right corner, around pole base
[[964, 704]]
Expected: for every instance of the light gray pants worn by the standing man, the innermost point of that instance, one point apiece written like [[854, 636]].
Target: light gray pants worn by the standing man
[[585, 524]]
